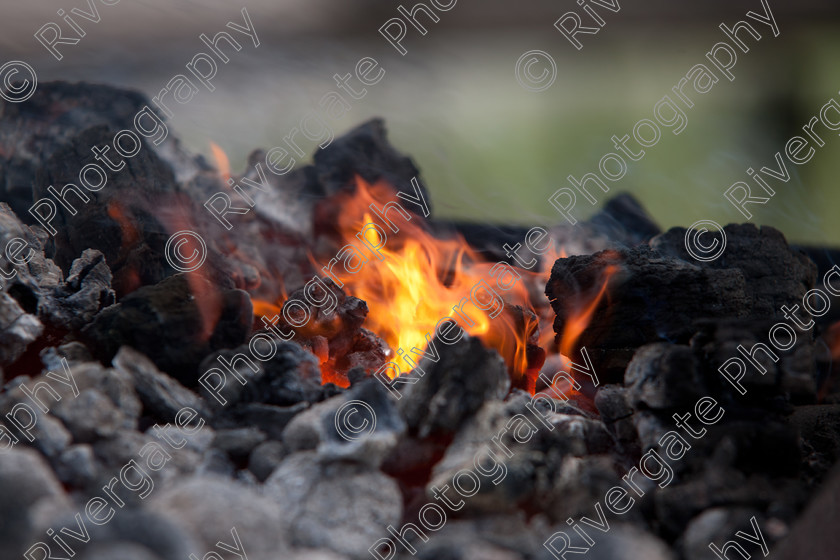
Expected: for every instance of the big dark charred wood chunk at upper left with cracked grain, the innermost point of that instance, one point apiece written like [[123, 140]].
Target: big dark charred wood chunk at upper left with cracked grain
[[129, 218]]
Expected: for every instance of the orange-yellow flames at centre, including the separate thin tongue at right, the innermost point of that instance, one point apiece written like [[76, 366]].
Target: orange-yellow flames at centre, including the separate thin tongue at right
[[411, 280]]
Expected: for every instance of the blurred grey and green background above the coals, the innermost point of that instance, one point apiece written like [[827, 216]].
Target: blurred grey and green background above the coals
[[489, 149]]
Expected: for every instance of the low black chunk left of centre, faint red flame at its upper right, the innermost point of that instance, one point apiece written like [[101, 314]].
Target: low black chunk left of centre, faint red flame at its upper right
[[176, 323]]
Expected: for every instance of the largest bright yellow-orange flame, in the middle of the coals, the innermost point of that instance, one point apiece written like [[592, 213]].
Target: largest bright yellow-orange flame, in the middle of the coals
[[418, 279]]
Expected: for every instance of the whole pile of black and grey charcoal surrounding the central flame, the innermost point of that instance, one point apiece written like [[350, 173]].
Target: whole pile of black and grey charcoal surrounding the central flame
[[153, 413]]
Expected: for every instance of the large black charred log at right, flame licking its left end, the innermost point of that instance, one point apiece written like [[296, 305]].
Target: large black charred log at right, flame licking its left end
[[658, 292]]
